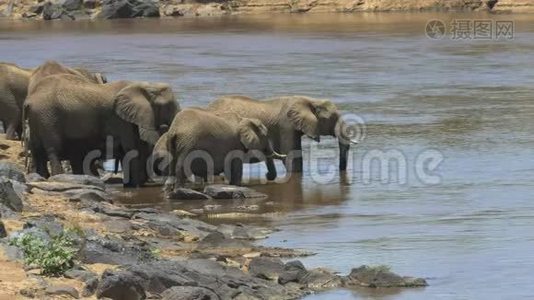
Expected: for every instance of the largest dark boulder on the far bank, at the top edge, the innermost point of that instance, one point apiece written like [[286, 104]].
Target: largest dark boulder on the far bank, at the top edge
[[119, 9]]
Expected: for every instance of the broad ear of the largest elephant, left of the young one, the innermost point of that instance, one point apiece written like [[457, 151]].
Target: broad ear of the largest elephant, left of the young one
[[134, 105]]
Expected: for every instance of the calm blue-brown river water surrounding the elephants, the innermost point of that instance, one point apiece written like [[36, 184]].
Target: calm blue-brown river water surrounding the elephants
[[466, 224]]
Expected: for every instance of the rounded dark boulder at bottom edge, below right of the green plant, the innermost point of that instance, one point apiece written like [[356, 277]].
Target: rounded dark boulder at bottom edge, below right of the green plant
[[122, 285]]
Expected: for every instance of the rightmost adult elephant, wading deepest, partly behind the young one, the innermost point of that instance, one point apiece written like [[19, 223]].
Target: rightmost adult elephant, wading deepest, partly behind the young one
[[287, 119]]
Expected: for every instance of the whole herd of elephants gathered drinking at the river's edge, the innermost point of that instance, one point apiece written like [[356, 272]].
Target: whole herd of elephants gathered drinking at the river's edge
[[72, 114]]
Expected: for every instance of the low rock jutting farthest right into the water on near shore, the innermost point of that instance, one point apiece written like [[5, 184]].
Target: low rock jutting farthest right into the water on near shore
[[381, 277]]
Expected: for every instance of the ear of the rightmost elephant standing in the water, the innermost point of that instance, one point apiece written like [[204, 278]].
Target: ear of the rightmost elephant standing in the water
[[303, 116]]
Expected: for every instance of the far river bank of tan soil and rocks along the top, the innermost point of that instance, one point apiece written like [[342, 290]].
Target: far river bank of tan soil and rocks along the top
[[112, 9]]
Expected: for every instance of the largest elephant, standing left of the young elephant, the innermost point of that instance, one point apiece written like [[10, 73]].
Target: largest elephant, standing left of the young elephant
[[70, 117]]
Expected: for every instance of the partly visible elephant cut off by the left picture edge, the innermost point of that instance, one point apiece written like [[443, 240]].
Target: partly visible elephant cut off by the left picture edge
[[13, 90]]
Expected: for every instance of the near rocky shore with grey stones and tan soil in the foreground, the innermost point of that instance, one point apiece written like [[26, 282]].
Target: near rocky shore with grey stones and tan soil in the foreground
[[64, 238]]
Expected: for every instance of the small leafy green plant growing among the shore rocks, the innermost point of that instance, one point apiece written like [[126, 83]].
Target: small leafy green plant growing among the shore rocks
[[53, 257]]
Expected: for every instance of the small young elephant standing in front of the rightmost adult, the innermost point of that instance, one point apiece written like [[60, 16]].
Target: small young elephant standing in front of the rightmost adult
[[202, 143]]
